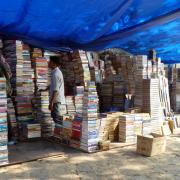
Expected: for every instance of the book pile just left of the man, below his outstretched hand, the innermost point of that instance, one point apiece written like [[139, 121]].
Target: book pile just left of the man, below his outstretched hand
[[43, 114]]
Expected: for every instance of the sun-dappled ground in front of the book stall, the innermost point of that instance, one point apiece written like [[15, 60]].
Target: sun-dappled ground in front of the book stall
[[118, 163]]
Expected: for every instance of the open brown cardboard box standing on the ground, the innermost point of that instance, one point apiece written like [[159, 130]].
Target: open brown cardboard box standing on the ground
[[151, 145]]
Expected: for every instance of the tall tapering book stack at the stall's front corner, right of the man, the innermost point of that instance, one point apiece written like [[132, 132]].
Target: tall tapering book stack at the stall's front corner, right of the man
[[89, 134]]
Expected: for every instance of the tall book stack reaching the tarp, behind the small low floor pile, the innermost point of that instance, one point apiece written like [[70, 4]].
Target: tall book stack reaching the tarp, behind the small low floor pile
[[24, 84]]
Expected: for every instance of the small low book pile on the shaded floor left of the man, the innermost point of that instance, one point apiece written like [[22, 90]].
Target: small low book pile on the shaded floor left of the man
[[31, 130]]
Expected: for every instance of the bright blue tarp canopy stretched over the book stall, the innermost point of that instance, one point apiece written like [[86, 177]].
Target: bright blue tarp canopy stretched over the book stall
[[133, 25]]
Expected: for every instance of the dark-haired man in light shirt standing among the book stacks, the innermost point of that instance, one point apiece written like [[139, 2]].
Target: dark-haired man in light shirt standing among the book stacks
[[57, 97]]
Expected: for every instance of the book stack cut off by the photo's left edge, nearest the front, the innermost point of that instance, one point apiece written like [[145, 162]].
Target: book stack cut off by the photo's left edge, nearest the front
[[3, 123]]
